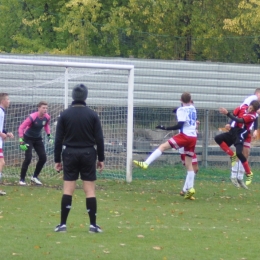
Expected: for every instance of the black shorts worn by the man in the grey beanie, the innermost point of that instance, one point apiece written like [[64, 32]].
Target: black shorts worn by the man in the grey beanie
[[79, 161]]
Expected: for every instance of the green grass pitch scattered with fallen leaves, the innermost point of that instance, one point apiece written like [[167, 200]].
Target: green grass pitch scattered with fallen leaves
[[146, 219]]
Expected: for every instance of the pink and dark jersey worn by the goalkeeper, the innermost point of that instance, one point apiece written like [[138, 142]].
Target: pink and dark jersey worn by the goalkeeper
[[33, 124]]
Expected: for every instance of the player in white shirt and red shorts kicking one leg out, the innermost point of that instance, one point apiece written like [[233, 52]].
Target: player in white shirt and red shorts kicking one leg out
[[187, 138]]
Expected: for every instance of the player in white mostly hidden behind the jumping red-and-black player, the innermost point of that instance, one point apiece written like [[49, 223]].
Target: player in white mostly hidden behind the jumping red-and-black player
[[237, 171]]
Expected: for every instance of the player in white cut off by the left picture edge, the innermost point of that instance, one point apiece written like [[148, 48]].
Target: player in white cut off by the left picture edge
[[4, 103]]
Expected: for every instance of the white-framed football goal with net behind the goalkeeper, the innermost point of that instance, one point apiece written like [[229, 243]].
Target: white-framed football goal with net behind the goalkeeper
[[110, 88]]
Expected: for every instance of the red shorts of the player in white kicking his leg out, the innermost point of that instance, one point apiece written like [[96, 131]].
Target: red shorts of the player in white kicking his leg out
[[185, 141]]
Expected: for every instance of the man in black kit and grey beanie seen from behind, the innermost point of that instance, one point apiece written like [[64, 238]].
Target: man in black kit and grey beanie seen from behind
[[78, 131]]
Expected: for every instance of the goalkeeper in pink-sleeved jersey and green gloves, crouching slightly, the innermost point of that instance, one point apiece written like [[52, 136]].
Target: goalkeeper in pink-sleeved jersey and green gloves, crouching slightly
[[30, 138]]
